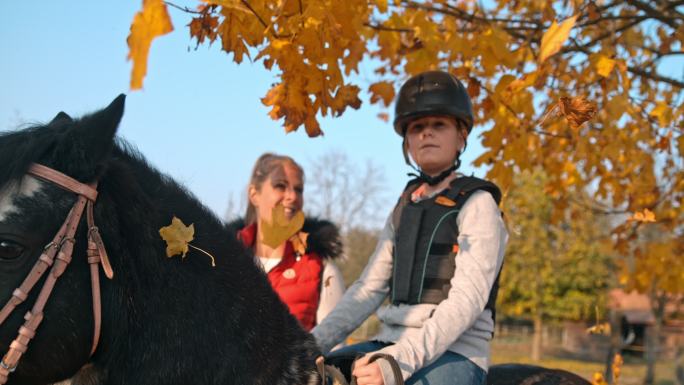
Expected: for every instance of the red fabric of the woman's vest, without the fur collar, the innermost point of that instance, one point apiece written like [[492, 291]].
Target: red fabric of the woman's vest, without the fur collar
[[296, 279]]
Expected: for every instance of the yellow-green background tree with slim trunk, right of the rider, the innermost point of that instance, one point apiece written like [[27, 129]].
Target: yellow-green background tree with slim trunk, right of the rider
[[553, 271]]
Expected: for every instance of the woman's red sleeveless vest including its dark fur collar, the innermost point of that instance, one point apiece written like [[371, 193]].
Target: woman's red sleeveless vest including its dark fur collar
[[297, 278]]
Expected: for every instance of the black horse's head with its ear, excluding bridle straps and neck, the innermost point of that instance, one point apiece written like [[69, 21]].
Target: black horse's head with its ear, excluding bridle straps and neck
[[31, 212]]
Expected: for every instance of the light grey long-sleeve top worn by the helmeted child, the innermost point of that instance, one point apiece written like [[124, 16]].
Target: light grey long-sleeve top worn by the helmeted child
[[422, 333]]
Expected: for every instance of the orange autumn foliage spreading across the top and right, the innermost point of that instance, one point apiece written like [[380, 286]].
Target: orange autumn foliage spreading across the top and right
[[573, 87]]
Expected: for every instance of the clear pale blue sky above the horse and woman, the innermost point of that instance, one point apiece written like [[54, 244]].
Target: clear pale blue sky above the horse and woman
[[199, 117]]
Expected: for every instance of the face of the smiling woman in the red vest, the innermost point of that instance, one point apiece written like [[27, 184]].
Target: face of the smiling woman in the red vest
[[284, 186]]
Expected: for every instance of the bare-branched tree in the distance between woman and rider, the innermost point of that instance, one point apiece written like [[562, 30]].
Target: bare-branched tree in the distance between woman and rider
[[339, 190]]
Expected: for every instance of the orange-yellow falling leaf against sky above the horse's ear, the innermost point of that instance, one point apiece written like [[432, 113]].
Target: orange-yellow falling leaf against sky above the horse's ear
[[151, 22]]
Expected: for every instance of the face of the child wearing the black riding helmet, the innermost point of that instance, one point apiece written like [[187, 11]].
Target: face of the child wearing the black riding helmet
[[433, 142]]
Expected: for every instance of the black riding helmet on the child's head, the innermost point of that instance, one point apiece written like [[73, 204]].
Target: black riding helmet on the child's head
[[432, 93]]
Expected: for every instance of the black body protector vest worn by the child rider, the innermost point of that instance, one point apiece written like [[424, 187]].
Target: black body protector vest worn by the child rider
[[426, 242]]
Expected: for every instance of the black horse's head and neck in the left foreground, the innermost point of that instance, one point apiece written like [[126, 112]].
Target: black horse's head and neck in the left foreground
[[164, 320]]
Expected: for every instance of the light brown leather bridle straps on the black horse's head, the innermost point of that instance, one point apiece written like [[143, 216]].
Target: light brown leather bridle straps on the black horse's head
[[57, 255]]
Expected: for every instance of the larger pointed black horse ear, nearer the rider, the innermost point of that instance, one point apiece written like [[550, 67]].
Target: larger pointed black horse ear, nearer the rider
[[87, 143]]
